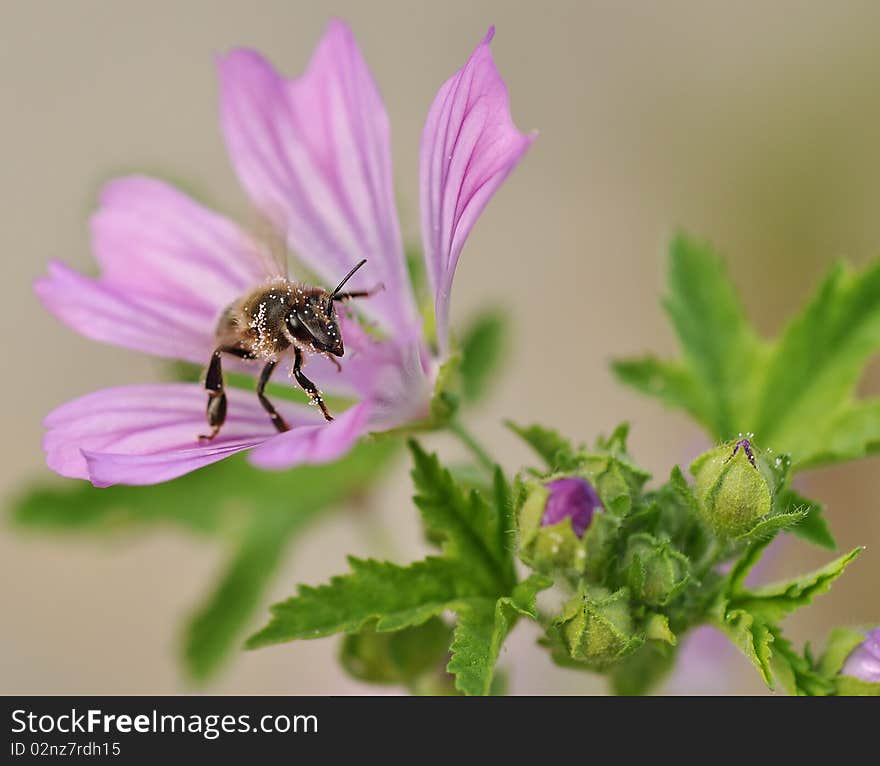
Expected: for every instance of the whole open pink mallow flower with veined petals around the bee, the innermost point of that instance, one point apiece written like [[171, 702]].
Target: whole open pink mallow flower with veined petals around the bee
[[313, 155]]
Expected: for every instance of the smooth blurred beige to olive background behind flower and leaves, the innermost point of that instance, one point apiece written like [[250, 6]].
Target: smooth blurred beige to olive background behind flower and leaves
[[754, 124]]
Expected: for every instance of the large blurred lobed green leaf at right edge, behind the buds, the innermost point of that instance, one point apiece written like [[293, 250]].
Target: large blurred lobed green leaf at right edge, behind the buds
[[797, 392]]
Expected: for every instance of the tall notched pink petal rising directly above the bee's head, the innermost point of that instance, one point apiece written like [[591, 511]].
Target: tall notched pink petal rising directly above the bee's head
[[314, 155]]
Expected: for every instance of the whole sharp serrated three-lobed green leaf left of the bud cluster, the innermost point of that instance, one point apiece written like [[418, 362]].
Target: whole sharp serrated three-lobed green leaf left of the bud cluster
[[474, 578]]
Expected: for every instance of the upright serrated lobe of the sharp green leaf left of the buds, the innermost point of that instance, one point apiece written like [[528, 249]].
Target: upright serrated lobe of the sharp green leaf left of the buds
[[475, 531]]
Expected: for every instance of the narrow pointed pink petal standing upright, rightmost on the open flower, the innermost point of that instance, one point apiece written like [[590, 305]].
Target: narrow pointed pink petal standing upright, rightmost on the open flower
[[469, 146]]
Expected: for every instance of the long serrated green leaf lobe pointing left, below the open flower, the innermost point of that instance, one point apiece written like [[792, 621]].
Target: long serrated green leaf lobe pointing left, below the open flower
[[392, 596]]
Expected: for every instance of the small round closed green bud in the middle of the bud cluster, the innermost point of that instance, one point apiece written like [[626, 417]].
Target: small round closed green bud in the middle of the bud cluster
[[655, 571]]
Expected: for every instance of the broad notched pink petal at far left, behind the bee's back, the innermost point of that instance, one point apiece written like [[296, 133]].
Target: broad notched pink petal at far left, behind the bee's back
[[169, 267]]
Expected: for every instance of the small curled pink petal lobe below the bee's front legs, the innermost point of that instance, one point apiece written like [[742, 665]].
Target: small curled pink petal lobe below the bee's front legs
[[314, 443]]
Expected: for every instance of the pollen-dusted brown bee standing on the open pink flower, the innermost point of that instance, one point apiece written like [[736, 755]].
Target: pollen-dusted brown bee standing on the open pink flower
[[268, 322]]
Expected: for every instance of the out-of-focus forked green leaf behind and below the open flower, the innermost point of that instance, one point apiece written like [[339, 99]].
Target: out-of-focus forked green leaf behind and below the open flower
[[255, 514]]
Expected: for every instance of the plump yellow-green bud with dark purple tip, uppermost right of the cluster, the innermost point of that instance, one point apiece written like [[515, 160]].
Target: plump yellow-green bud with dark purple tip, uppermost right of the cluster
[[732, 488]]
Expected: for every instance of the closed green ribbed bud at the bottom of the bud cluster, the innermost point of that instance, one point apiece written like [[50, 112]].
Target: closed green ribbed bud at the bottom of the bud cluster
[[597, 626]]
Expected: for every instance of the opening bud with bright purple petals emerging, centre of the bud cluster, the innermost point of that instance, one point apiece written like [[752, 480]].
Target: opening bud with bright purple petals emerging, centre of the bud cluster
[[553, 519]]
